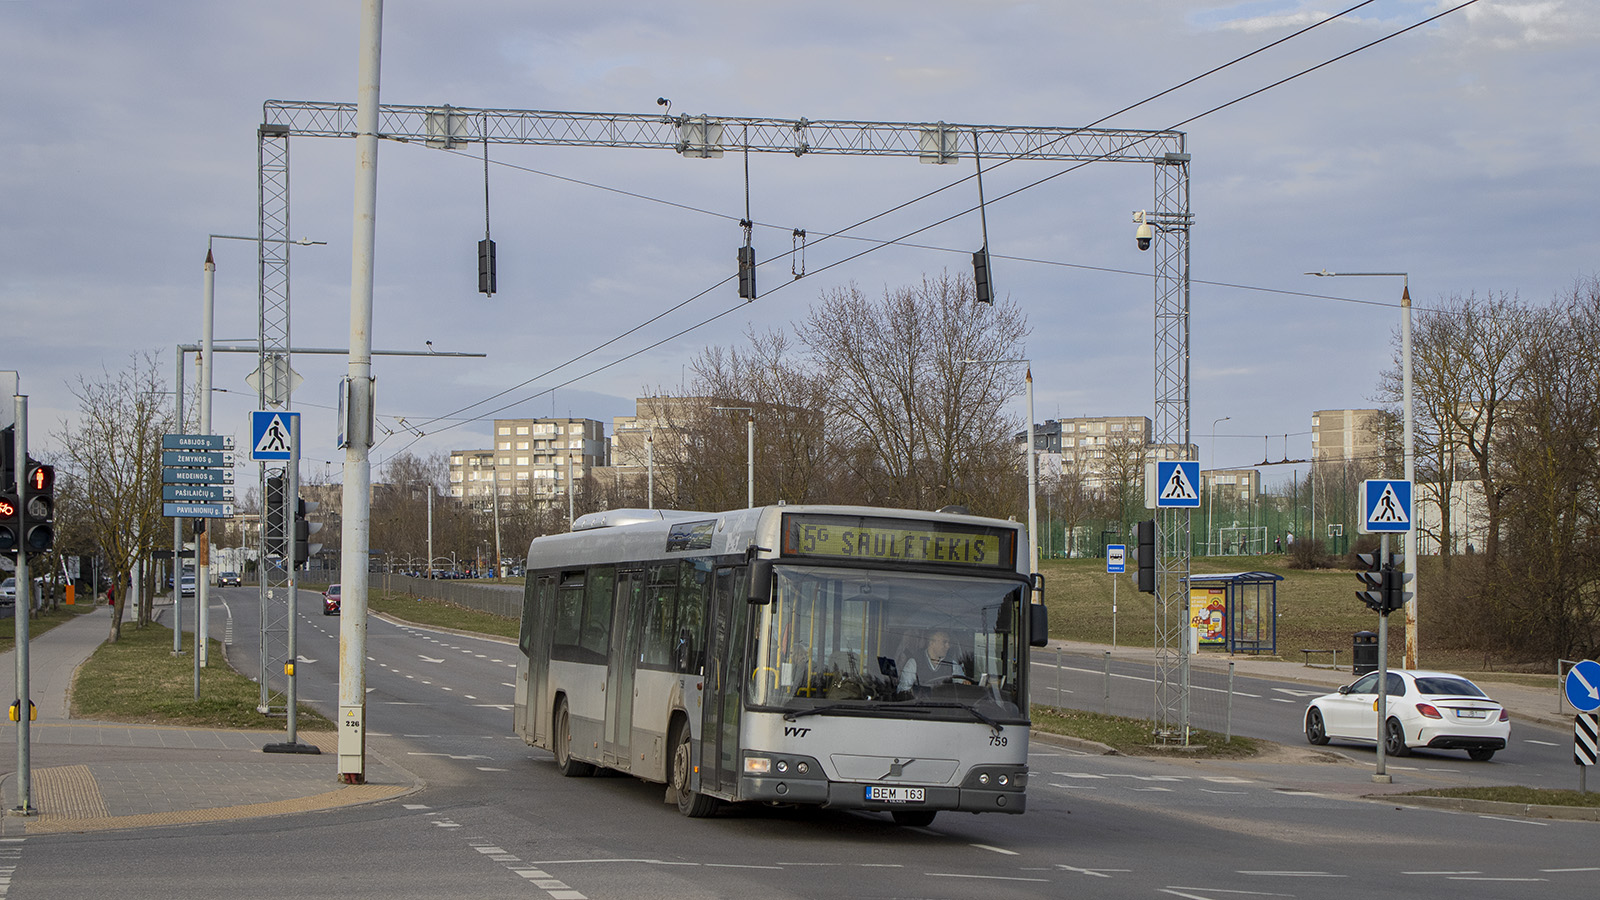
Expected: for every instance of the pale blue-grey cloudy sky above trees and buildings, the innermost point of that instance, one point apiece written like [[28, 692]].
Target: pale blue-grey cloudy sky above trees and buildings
[[1465, 153]]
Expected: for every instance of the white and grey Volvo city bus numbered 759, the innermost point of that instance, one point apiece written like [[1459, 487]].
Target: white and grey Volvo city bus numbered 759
[[766, 656]]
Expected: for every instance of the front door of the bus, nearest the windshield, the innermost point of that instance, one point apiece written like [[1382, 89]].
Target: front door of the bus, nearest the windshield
[[726, 685]]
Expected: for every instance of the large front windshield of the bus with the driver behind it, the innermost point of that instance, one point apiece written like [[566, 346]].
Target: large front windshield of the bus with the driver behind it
[[868, 638]]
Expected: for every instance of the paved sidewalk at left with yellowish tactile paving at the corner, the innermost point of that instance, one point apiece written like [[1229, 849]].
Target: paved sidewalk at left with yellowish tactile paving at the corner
[[102, 776]]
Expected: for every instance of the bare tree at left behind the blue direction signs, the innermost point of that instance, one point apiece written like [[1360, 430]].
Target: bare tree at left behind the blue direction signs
[[114, 457]]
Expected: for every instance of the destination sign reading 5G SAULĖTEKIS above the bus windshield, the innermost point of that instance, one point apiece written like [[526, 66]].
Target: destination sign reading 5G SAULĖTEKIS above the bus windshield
[[887, 540]]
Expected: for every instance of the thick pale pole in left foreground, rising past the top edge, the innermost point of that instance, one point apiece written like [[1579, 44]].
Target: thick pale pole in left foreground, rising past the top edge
[[358, 464]]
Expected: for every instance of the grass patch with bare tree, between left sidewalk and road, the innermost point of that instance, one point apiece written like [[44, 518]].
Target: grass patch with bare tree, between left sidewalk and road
[[138, 680]]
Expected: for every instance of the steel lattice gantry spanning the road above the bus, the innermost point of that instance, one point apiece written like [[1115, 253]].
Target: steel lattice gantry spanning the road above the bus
[[706, 137]]
